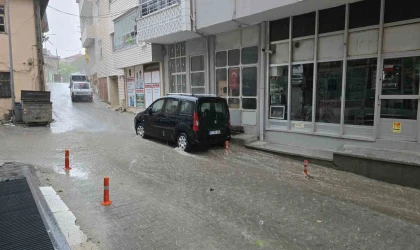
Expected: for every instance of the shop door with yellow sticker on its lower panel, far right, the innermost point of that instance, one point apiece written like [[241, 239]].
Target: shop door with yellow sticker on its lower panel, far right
[[399, 99]]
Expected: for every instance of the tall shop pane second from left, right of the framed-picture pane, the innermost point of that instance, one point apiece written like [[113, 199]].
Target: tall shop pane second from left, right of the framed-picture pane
[[302, 92]]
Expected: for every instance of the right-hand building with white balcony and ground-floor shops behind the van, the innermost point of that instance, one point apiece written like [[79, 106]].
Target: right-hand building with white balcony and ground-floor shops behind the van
[[314, 73]]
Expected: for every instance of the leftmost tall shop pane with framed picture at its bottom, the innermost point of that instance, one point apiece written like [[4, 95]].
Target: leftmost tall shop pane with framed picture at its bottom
[[278, 87]]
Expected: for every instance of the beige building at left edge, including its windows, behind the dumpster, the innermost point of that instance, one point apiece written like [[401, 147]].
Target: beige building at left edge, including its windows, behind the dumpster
[[27, 23]]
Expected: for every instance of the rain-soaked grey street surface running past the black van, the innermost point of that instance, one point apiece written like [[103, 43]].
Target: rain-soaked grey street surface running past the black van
[[166, 199]]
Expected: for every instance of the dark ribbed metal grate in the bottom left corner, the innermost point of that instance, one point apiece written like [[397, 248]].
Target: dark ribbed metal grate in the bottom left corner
[[21, 225]]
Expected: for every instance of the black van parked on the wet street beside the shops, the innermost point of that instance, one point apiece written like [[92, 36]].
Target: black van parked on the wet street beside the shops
[[186, 119]]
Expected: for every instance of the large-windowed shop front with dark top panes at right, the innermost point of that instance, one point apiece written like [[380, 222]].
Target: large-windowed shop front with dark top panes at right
[[350, 73]]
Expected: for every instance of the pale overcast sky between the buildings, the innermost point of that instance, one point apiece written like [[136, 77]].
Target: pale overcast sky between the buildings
[[65, 27]]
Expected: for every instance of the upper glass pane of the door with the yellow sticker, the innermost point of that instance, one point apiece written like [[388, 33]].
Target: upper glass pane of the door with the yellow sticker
[[401, 76]]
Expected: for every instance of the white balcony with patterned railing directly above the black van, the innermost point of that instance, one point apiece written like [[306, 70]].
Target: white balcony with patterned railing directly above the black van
[[165, 21]]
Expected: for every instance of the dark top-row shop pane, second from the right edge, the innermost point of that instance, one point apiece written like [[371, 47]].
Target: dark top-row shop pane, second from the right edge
[[364, 13]]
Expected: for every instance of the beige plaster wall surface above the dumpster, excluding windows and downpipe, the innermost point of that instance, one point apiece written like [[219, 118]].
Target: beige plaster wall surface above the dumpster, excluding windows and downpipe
[[24, 50]]
